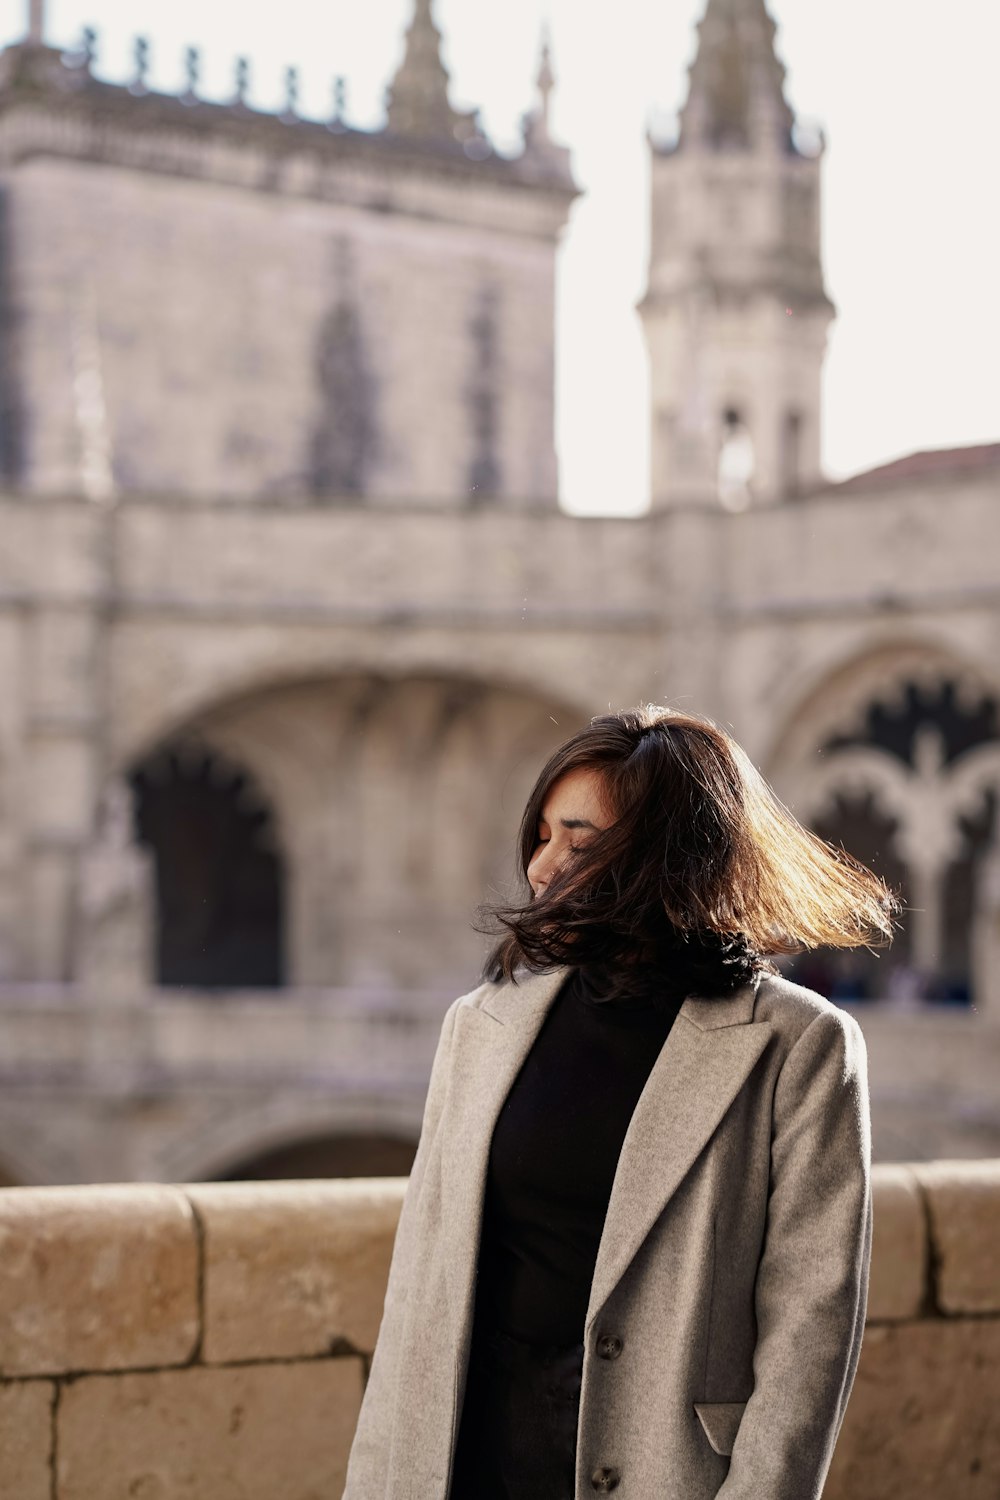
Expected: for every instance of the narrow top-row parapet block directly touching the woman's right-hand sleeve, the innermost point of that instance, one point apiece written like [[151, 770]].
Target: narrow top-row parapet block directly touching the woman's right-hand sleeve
[[899, 1252]]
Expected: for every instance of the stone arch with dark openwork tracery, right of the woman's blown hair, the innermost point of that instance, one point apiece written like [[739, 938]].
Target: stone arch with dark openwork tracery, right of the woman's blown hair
[[897, 758]]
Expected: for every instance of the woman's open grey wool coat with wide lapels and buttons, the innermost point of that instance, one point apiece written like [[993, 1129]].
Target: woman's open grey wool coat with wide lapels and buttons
[[734, 1262]]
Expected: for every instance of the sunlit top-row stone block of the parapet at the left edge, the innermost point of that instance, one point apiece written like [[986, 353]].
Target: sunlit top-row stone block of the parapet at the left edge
[[97, 1279]]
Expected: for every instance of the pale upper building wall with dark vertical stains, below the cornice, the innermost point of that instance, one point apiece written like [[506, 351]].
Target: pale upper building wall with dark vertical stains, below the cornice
[[253, 344]]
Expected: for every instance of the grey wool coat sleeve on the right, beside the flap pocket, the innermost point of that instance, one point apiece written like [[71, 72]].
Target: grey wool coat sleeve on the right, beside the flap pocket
[[812, 1288]]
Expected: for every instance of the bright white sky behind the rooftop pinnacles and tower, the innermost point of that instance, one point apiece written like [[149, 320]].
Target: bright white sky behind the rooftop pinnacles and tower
[[906, 92]]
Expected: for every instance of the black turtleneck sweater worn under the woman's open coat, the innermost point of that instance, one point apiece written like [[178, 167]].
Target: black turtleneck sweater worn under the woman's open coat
[[555, 1151]]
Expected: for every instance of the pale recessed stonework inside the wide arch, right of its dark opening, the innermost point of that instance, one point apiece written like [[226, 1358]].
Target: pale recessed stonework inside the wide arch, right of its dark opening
[[398, 799]]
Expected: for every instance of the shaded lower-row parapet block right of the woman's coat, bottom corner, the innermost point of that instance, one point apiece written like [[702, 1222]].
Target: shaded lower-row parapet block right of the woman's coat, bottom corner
[[923, 1417]]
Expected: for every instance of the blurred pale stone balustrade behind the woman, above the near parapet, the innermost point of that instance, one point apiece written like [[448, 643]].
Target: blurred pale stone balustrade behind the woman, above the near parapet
[[242, 1075]]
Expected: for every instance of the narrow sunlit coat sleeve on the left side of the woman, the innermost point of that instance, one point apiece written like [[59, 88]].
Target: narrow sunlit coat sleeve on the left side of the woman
[[368, 1466]]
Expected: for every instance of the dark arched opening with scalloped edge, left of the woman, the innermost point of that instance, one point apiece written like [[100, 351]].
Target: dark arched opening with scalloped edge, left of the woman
[[220, 878]]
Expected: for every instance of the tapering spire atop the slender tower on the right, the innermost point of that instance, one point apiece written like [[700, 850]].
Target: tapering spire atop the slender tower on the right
[[737, 82]]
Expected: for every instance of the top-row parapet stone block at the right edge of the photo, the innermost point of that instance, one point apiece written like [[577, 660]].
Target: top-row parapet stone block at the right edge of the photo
[[965, 1208]]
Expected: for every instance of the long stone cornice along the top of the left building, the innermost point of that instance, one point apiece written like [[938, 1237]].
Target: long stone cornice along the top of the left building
[[65, 113]]
